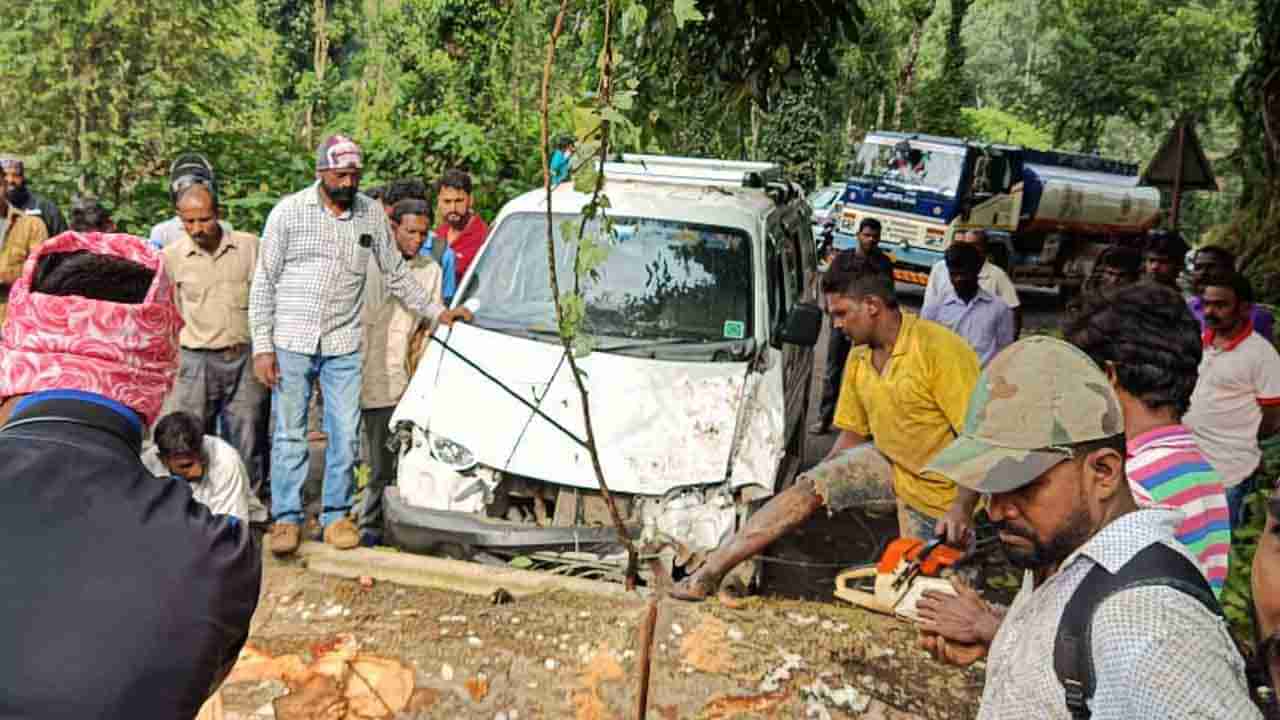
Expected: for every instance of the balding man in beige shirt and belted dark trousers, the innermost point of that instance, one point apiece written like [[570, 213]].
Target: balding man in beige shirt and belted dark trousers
[[212, 271]]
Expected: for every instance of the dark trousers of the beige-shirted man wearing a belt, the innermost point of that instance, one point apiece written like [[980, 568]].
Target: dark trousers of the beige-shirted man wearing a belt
[[220, 389]]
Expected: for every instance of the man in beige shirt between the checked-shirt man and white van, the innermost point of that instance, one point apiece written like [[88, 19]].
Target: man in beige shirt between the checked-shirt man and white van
[[390, 327]]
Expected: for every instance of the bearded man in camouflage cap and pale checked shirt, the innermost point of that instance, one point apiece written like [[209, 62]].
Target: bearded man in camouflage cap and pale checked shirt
[[1044, 440]]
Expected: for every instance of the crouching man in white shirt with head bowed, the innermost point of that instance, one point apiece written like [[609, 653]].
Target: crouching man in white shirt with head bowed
[[212, 468]]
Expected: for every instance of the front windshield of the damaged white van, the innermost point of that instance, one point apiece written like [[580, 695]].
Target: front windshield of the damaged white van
[[661, 281]]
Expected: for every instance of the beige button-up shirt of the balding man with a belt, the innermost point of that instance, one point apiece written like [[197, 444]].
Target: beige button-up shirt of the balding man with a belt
[[213, 290]]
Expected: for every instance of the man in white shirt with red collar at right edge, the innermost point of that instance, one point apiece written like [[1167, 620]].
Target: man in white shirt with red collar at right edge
[[1237, 398]]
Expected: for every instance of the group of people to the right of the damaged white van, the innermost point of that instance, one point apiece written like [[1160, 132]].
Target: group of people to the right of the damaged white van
[[1114, 464]]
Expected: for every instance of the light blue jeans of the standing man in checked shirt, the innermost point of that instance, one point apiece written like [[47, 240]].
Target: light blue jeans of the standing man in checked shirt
[[340, 382]]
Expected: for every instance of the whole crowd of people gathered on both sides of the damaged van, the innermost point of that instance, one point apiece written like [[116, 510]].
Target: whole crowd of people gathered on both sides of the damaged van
[[1114, 463]]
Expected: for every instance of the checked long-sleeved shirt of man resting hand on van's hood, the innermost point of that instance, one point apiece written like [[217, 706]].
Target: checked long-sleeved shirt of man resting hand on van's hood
[[309, 286]]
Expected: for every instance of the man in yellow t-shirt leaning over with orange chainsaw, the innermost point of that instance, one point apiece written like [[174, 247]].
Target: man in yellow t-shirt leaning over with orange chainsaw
[[903, 400]]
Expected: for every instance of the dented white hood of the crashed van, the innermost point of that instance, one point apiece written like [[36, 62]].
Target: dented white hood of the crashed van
[[659, 425]]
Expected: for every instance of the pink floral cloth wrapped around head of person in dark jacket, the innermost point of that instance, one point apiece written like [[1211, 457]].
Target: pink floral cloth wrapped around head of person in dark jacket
[[126, 353]]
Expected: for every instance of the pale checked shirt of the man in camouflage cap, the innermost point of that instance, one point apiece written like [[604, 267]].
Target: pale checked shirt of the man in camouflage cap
[[1158, 653]]
